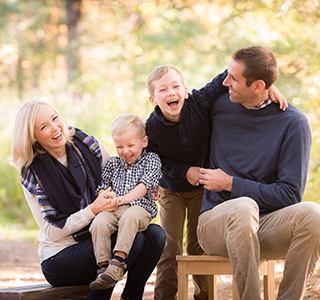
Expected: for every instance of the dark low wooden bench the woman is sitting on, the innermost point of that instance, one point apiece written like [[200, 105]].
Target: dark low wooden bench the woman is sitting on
[[45, 292]]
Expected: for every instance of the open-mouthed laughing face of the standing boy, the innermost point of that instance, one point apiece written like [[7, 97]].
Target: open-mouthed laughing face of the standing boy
[[169, 95]]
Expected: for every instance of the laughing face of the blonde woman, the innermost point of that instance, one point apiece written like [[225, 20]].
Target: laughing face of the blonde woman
[[49, 131]]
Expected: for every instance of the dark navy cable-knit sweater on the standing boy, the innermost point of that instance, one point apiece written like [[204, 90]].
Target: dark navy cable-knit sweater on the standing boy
[[183, 144]]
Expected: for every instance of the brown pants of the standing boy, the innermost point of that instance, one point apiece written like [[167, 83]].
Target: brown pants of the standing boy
[[173, 209]]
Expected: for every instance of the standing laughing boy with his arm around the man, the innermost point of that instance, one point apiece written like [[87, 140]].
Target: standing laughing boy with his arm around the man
[[179, 132]]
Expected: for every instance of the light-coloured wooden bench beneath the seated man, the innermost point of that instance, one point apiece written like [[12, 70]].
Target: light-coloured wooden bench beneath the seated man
[[218, 265]]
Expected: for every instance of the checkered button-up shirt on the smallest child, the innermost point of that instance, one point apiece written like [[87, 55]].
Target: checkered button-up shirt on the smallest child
[[123, 178]]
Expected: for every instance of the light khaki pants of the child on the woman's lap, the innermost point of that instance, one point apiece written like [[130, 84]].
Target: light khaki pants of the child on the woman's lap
[[127, 220]]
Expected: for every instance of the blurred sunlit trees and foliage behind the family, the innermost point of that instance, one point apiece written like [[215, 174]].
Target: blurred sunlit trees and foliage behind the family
[[91, 60]]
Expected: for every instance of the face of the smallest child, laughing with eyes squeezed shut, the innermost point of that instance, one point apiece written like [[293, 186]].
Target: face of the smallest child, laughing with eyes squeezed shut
[[129, 145]]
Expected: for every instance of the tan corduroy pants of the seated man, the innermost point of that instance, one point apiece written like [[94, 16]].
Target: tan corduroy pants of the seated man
[[234, 229]]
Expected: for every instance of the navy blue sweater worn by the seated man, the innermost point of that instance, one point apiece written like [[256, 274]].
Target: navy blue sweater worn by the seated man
[[267, 151]]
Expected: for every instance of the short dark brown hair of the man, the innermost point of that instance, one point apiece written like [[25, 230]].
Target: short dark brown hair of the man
[[260, 64]]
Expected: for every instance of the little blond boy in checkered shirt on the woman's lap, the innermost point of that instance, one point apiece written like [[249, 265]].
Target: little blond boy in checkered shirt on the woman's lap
[[129, 182]]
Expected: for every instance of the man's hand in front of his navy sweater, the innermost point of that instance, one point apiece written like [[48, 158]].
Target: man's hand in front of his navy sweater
[[215, 180]]
